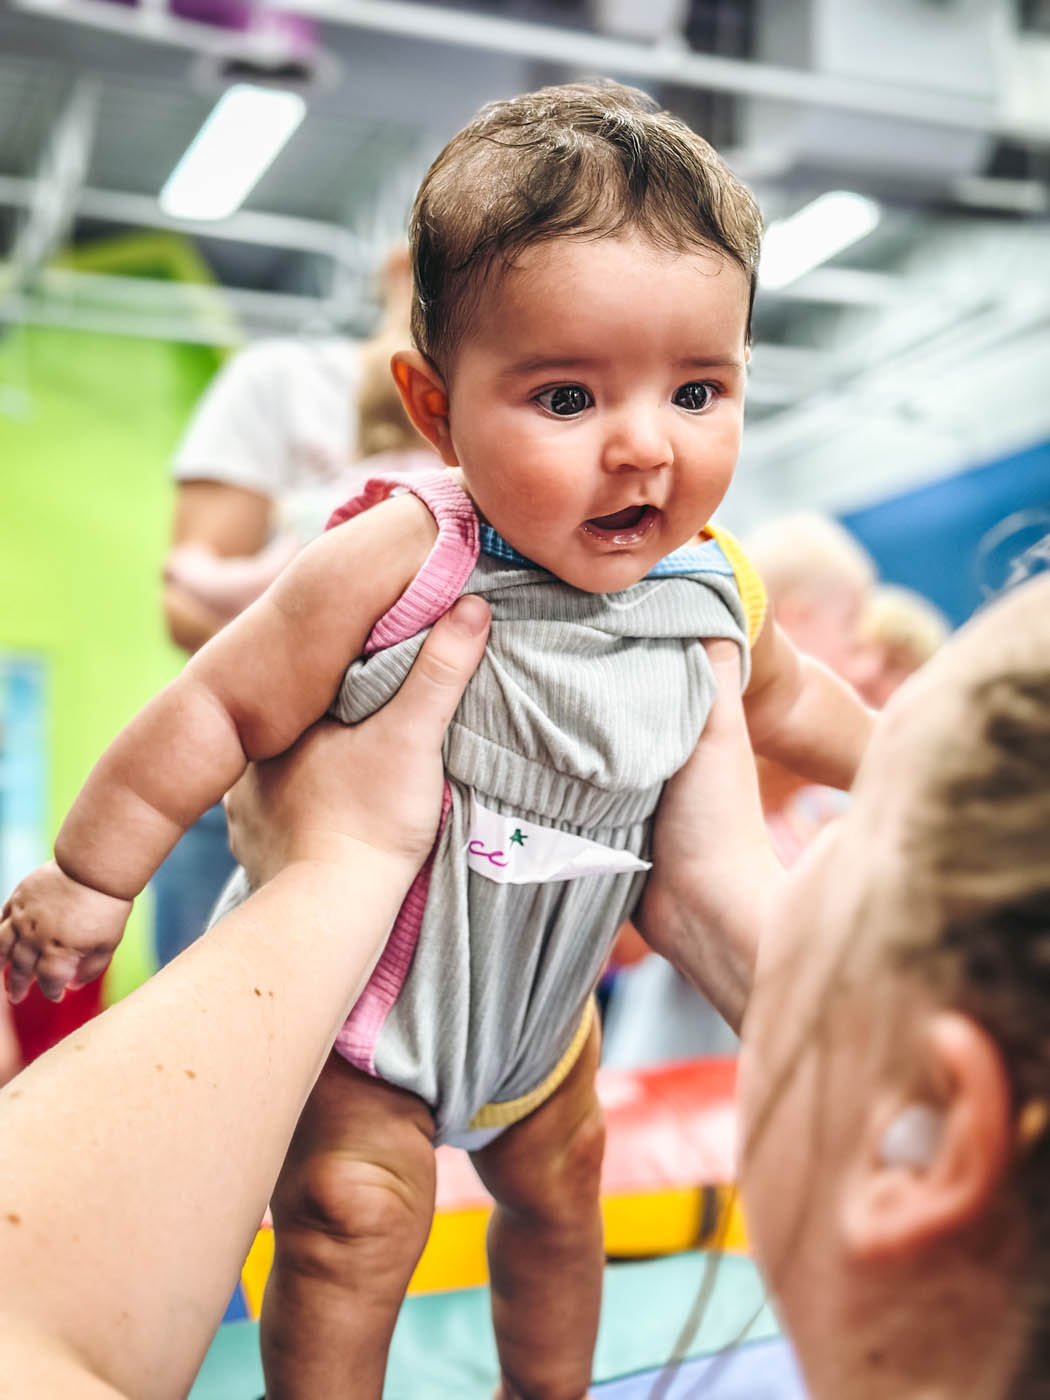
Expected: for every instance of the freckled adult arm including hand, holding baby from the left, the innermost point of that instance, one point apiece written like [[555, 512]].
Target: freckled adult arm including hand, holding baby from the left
[[139, 1154]]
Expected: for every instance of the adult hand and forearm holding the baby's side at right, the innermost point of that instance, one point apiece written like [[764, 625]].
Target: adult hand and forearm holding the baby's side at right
[[713, 867]]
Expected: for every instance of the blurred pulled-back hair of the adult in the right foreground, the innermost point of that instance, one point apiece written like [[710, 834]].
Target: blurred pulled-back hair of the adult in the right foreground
[[976, 874]]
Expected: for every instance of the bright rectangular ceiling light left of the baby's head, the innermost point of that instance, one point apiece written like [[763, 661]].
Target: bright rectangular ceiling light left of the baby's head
[[244, 132]]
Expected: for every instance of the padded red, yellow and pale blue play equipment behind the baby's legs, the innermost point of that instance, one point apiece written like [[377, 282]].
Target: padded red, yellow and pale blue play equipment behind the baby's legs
[[667, 1189]]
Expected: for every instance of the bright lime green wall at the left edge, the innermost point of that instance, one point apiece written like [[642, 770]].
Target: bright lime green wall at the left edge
[[87, 426]]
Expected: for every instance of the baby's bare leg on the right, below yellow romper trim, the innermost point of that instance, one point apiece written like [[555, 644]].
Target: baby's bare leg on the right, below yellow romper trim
[[545, 1240]]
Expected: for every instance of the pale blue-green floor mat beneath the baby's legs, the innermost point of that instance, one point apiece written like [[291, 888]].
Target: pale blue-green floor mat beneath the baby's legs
[[443, 1346]]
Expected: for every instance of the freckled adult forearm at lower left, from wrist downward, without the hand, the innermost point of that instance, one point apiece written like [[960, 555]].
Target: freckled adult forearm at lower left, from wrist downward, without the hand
[[180, 1104]]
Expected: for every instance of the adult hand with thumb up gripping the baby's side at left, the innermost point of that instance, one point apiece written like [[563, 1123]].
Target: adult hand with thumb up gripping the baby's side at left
[[376, 785]]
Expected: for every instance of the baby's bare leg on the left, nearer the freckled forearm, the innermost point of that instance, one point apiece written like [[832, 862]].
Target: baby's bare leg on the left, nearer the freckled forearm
[[352, 1212]]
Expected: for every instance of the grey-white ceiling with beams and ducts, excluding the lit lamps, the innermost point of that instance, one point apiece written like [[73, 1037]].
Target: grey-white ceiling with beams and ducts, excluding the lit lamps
[[918, 352]]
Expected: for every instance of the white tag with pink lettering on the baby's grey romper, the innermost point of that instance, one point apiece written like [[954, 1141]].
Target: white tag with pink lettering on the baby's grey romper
[[514, 852]]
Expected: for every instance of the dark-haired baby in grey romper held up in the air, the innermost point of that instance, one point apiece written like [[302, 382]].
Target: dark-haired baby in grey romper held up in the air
[[584, 269]]
